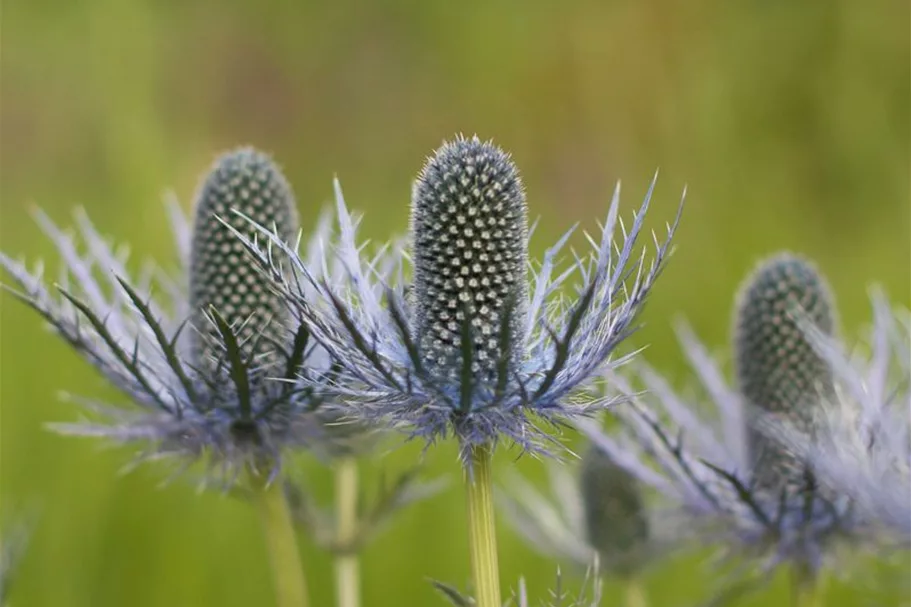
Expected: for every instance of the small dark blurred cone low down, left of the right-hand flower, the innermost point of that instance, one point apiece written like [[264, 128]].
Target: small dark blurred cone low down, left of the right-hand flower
[[615, 517]]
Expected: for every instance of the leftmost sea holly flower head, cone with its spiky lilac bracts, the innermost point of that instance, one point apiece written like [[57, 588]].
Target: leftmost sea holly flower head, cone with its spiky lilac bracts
[[201, 390]]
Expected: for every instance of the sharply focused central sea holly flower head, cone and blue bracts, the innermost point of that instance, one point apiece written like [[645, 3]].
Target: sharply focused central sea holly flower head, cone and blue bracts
[[543, 347]]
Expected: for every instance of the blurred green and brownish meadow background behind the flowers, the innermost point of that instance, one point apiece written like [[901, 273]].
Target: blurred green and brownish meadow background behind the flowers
[[789, 121]]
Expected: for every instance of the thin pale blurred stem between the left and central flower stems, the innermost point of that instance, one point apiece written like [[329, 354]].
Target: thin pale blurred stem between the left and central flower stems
[[347, 568]]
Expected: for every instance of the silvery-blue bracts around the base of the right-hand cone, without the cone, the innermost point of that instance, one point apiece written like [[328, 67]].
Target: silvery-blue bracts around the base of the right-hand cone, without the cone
[[691, 450]]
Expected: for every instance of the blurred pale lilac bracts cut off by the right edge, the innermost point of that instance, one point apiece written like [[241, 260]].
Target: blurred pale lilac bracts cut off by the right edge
[[862, 444]]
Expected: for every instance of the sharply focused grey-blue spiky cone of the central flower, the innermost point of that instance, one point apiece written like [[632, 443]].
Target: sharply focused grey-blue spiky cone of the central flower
[[469, 224]]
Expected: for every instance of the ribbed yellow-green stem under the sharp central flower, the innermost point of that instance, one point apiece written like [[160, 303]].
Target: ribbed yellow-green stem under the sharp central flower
[[481, 529]]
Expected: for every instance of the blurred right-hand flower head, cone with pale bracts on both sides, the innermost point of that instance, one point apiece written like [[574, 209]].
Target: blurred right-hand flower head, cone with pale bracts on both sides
[[796, 505]]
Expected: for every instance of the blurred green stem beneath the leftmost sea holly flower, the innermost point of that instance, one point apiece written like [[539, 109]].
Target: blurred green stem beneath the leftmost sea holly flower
[[287, 571]]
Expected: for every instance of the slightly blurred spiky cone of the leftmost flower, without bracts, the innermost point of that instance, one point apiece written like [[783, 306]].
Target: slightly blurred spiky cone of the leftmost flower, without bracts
[[222, 276]]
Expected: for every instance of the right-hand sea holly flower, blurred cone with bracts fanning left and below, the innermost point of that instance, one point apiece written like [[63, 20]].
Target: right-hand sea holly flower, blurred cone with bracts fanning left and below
[[715, 490]]
